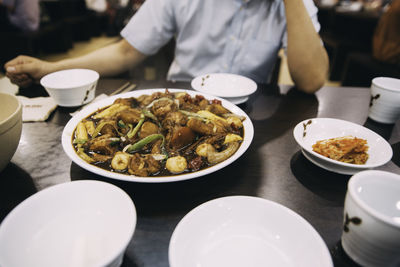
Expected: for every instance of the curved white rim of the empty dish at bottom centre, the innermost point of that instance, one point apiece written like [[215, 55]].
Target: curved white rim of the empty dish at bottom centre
[[317, 237]]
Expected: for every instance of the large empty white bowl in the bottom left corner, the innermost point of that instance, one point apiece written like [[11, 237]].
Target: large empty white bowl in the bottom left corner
[[80, 223]]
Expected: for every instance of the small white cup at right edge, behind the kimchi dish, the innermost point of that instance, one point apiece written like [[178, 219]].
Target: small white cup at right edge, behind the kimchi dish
[[385, 100]]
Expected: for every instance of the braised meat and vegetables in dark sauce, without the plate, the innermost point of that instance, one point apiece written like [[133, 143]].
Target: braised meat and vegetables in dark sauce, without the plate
[[162, 134]]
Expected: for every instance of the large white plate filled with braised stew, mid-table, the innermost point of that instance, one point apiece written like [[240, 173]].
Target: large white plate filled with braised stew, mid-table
[[157, 135]]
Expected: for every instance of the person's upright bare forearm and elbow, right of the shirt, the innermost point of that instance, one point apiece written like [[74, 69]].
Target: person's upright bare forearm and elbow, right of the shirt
[[308, 61]]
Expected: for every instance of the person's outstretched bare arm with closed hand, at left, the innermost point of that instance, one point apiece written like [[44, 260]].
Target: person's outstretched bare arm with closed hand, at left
[[107, 61]]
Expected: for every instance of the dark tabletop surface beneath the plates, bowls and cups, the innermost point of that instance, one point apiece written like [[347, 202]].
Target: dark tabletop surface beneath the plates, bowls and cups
[[272, 168]]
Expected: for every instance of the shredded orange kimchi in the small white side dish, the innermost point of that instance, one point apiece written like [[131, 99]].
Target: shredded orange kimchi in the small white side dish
[[347, 149]]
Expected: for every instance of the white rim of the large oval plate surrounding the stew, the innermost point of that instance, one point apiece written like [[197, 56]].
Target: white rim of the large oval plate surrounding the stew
[[67, 137]]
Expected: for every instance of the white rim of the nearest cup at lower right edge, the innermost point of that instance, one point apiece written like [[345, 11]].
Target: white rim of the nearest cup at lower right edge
[[351, 187]]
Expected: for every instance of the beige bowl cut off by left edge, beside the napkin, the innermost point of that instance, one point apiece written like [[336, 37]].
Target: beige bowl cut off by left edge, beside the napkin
[[10, 127]]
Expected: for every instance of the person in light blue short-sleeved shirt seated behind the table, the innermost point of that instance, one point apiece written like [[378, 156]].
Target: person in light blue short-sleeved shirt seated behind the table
[[234, 36]]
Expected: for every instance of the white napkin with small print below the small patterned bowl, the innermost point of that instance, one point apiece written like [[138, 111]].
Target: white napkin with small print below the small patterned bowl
[[37, 108]]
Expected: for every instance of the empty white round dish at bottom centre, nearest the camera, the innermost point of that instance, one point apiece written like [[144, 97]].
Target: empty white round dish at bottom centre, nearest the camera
[[246, 231]]
